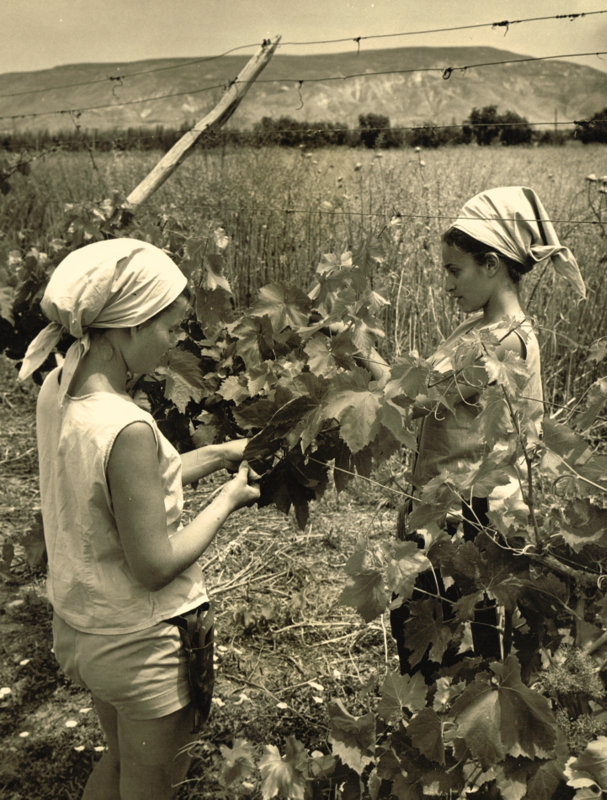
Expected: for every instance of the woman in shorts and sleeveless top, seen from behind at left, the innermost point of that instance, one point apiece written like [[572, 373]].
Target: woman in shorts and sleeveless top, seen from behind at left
[[122, 574]]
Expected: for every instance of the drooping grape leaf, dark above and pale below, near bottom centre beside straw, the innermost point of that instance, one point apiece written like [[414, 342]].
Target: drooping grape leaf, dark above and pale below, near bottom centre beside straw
[[352, 738]]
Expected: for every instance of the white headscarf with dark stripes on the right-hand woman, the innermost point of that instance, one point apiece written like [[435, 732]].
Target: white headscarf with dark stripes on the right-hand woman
[[513, 220]]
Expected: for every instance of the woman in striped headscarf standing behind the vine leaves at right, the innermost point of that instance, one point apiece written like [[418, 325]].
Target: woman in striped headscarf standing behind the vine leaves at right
[[499, 235]]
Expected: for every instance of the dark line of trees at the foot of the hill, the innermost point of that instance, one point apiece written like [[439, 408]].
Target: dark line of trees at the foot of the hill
[[483, 126]]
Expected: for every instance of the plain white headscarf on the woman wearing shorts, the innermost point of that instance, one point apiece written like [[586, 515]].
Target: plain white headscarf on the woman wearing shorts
[[117, 283]]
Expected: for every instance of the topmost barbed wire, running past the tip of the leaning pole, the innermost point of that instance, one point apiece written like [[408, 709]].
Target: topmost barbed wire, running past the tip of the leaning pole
[[356, 39]]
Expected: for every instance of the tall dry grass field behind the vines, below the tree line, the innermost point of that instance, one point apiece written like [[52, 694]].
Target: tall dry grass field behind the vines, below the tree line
[[282, 209]]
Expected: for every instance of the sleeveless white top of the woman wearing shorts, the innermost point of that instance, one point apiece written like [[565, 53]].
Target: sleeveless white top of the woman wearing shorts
[[90, 584]]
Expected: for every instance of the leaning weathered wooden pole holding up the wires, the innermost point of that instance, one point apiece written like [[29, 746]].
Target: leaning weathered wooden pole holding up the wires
[[220, 114]]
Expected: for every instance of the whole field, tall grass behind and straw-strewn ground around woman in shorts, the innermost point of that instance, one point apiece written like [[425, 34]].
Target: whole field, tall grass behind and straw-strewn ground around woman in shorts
[[284, 643]]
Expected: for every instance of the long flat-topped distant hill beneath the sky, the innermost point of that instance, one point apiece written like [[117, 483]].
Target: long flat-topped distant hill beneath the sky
[[536, 90]]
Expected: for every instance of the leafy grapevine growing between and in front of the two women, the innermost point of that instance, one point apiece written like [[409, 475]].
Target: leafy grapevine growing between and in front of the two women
[[279, 374]]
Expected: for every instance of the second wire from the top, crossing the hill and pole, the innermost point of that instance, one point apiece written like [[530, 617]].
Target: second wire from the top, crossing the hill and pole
[[445, 71]]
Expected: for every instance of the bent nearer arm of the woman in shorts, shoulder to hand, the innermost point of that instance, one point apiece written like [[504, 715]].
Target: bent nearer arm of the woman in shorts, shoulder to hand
[[138, 503]]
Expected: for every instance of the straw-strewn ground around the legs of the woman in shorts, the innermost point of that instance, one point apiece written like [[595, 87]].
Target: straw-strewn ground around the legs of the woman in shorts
[[284, 644]]
